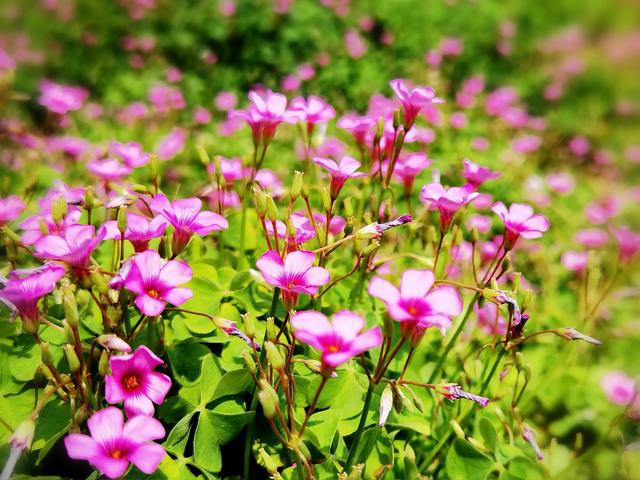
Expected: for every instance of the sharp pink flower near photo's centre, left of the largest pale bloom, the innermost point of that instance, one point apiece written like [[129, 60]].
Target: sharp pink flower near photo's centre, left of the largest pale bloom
[[295, 275]]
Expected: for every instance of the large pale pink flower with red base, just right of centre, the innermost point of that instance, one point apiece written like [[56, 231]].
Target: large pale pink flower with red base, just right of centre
[[417, 306]]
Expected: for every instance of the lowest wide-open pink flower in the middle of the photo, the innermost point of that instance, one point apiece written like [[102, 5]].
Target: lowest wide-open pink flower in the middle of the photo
[[338, 340]]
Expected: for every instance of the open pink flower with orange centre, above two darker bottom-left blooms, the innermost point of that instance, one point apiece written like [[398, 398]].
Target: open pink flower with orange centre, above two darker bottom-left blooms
[[155, 282]]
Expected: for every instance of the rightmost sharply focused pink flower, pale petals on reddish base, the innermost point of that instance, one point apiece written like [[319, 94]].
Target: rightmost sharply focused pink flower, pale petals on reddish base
[[520, 221]]
